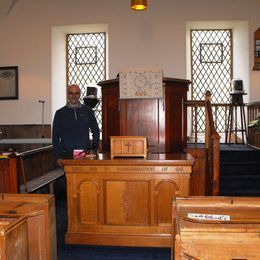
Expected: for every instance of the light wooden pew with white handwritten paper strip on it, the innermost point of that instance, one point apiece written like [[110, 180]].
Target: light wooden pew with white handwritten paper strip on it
[[216, 228]]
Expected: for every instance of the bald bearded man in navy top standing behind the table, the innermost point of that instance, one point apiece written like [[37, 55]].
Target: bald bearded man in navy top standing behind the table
[[71, 126]]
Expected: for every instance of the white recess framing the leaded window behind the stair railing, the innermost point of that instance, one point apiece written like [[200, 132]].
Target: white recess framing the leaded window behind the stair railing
[[240, 31]]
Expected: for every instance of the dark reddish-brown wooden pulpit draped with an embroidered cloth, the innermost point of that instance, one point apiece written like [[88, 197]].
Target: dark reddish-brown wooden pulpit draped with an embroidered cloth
[[162, 121]]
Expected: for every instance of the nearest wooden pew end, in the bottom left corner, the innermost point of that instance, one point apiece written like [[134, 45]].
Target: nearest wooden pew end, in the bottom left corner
[[13, 237]]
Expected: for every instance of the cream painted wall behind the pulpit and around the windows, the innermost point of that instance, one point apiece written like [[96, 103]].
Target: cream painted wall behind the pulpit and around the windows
[[30, 37]]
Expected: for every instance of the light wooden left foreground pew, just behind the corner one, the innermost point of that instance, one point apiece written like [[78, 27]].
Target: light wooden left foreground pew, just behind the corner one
[[39, 210]]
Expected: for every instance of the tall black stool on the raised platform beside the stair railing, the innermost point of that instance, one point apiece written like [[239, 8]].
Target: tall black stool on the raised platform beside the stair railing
[[232, 126]]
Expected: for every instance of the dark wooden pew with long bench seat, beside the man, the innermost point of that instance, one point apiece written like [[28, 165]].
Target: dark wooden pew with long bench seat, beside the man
[[29, 170]]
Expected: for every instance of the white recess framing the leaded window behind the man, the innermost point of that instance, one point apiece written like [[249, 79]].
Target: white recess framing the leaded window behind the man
[[58, 59]]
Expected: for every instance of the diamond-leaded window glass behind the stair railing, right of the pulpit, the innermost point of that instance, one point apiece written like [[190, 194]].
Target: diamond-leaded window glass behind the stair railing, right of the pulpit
[[211, 69]]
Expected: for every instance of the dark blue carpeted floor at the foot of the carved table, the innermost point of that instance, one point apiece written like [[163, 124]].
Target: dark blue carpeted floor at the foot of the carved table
[[80, 252]]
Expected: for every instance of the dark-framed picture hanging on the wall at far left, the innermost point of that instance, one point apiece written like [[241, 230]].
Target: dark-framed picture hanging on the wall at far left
[[9, 82]]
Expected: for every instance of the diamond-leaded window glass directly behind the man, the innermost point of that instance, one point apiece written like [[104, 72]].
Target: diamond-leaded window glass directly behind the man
[[86, 64]]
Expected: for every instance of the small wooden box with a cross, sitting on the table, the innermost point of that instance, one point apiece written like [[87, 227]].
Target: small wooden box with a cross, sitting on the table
[[128, 146]]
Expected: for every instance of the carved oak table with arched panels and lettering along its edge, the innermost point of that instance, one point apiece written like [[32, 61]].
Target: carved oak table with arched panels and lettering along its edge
[[124, 201]]
